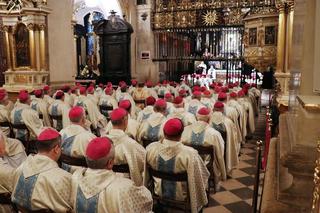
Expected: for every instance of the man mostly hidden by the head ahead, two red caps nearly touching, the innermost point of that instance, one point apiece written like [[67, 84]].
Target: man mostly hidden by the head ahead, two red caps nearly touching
[[133, 125]]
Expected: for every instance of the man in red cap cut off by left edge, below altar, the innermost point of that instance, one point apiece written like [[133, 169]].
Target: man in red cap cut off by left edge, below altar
[[4, 111]]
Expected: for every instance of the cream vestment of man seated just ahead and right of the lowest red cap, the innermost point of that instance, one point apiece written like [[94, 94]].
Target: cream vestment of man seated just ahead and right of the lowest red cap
[[130, 152]]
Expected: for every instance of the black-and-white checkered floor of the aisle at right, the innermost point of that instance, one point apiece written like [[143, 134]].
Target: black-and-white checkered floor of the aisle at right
[[235, 194]]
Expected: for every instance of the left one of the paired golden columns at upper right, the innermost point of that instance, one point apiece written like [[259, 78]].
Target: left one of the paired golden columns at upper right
[[281, 39]]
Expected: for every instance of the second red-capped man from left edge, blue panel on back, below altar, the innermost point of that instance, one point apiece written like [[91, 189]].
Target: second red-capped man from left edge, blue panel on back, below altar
[[22, 113]]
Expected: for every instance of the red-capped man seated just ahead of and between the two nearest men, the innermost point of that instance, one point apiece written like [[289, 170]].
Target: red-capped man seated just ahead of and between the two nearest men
[[76, 136]]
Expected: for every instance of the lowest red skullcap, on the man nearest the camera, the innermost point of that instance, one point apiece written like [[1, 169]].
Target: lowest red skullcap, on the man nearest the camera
[[98, 148]]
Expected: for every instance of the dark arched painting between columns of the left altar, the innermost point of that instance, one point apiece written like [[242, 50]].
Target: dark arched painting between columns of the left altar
[[22, 46]]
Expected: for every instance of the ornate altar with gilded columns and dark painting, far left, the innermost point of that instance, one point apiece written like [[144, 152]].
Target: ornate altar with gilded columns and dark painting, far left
[[25, 33]]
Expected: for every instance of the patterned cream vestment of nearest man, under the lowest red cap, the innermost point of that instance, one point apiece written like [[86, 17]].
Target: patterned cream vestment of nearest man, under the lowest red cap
[[105, 192]]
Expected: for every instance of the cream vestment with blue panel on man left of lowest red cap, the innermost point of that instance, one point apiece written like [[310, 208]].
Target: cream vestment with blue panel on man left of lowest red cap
[[40, 184]]
